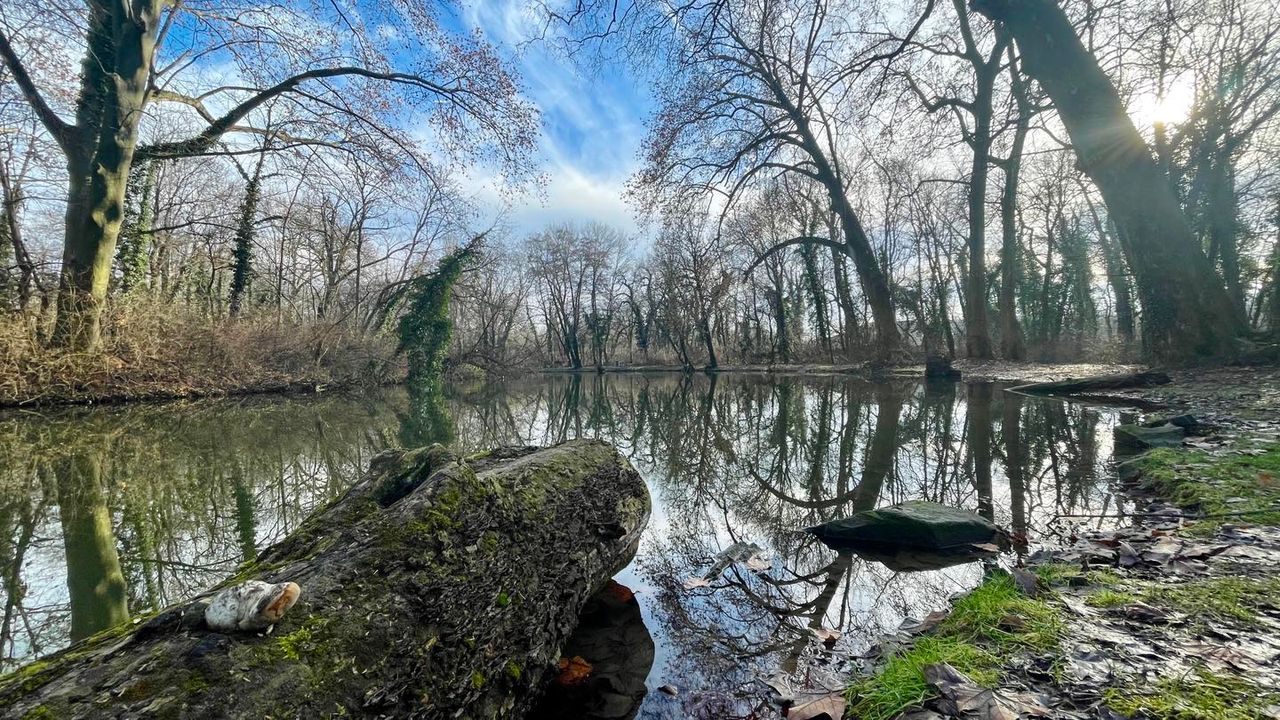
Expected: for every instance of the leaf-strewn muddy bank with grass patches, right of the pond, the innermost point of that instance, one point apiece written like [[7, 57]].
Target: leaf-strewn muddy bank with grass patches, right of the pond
[[1173, 617]]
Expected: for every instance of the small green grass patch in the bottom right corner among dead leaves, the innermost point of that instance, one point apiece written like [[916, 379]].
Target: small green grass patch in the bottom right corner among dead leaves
[[1197, 696]]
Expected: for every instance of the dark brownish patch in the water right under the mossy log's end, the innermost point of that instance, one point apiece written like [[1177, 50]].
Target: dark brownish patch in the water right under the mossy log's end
[[618, 651]]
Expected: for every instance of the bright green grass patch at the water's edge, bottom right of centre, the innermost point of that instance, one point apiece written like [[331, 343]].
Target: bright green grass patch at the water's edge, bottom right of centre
[[985, 627]]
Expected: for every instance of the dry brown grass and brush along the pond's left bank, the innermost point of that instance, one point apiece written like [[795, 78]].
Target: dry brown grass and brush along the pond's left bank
[[154, 352]]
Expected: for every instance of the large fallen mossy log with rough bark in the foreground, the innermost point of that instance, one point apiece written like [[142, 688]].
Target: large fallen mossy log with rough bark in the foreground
[[437, 587]]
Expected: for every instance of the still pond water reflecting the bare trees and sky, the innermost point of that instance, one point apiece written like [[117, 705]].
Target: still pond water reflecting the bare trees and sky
[[106, 513]]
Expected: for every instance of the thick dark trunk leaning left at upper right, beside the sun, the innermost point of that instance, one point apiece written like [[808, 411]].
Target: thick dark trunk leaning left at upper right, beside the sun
[[1187, 315]]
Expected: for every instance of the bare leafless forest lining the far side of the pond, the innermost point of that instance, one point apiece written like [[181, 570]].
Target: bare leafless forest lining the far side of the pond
[[819, 183]]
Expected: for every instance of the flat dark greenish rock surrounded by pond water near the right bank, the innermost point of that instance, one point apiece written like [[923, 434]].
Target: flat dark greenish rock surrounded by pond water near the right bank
[[917, 525]]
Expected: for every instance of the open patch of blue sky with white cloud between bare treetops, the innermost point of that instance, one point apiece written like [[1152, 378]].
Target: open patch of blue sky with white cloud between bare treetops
[[593, 124]]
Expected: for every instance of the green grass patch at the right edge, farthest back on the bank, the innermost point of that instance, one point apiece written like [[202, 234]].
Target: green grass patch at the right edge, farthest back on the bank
[[1238, 487]]
